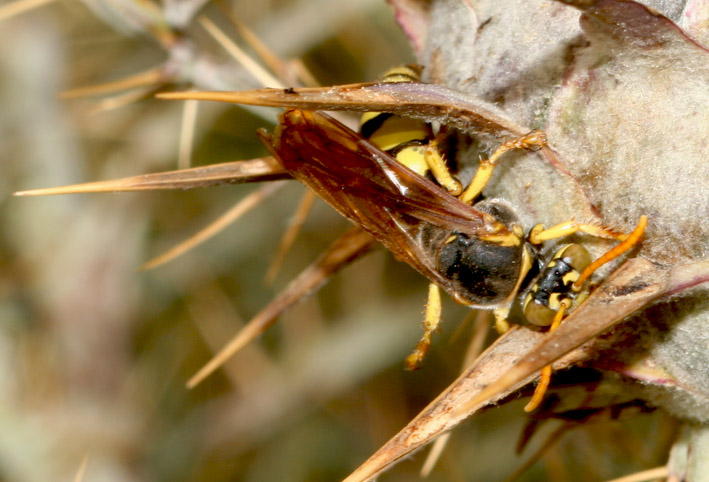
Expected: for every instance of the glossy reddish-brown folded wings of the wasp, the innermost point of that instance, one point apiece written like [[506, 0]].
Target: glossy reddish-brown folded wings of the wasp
[[370, 187]]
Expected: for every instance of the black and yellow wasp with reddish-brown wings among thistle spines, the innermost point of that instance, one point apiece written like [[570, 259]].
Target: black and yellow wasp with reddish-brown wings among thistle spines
[[392, 182]]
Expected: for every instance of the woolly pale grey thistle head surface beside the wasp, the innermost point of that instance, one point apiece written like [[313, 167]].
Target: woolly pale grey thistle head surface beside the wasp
[[621, 90]]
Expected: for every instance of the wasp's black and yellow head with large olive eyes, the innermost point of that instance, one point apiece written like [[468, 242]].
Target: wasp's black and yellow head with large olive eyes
[[553, 286]]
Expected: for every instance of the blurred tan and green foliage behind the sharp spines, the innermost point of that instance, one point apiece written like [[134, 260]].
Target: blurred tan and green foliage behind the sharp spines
[[95, 354]]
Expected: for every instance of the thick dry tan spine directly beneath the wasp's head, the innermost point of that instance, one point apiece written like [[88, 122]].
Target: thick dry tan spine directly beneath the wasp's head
[[515, 357]]
